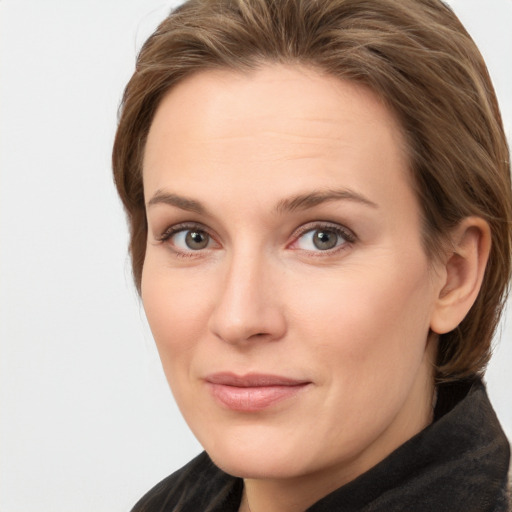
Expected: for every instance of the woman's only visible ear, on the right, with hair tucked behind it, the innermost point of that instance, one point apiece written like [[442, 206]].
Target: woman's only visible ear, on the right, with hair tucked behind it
[[462, 273]]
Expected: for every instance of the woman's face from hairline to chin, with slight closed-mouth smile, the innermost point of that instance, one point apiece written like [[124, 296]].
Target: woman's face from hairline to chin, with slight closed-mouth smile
[[285, 281]]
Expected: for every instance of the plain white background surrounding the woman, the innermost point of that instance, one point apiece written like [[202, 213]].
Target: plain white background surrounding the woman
[[87, 423]]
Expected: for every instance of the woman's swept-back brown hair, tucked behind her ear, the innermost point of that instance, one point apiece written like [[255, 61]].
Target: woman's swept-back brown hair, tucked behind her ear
[[415, 55]]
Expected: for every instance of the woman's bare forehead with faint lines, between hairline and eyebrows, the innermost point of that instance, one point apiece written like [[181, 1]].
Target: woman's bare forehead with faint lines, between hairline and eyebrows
[[289, 120]]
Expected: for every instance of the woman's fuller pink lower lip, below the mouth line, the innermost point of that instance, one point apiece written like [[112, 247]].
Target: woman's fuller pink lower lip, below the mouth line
[[252, 399]]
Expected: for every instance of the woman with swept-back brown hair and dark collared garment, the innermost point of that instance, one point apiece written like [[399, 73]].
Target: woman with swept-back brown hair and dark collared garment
[[320, 207]]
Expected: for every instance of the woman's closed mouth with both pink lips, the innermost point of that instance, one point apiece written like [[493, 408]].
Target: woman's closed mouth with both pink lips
[[252, 392]]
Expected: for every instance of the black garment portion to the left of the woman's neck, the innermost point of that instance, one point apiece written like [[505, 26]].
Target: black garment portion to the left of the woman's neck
[[199, 485]]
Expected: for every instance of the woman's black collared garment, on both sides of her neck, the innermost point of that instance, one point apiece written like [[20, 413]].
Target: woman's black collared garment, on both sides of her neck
[[458, 463]]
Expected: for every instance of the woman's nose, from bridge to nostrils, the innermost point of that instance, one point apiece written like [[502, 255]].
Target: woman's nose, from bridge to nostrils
[[248, 305]]
